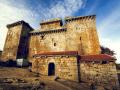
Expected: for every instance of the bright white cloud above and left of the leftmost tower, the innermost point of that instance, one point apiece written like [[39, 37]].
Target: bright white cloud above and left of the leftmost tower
[[10, 14]]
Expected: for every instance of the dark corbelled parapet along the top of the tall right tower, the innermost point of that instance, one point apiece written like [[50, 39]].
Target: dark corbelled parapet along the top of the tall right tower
[[67, 19]]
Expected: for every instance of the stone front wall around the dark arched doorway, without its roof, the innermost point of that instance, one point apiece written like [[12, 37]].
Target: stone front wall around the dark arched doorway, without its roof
[[65, 66]]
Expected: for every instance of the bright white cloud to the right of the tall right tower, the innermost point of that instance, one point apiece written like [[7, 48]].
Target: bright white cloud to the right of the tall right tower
[[108, 32]]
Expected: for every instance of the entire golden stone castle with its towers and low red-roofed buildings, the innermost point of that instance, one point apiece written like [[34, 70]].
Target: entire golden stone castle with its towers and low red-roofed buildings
[[70, 50]]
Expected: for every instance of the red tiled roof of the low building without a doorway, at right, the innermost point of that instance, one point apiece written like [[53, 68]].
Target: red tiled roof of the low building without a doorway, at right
[[96, 57]]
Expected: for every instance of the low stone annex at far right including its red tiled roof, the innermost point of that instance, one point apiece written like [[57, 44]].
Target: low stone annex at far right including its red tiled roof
[[99, 69]]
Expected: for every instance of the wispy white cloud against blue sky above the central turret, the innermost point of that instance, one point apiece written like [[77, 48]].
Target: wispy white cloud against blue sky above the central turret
[[63, 8]]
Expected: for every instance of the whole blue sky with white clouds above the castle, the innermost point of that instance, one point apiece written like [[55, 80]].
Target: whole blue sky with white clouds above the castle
[[33, 11]]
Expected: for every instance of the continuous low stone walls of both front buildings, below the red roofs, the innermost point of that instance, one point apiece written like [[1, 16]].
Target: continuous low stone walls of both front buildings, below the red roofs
[[101, 73]]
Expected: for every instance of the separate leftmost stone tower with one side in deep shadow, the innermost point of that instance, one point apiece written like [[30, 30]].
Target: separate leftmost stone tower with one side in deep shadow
[[16, 44]]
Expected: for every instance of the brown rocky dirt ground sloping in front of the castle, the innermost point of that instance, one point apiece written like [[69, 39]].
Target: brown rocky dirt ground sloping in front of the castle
[[23, 79]]
